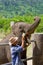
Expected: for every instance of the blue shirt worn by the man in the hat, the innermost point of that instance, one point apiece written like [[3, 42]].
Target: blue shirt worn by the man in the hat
[[15, 54]]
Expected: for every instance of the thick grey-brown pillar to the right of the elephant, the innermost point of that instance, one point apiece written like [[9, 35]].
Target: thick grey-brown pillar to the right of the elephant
[[37, 49]]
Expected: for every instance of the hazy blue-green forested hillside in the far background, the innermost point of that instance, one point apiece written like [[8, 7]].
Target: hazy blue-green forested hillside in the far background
[[11, 8]]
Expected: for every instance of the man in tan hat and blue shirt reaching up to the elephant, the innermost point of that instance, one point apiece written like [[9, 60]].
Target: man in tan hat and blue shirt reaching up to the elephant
[[16, 49]]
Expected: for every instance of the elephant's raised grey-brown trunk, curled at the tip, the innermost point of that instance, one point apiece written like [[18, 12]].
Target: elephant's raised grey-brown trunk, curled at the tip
[[32, 28]]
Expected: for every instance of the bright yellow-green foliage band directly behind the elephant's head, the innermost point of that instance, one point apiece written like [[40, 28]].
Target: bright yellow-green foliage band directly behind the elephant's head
[[5, 23]]
